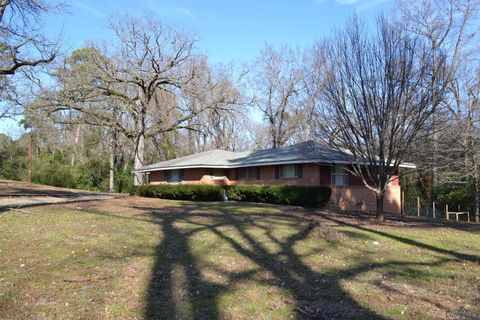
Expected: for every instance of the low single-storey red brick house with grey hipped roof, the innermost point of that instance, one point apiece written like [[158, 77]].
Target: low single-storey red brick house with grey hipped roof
[[303, 164]]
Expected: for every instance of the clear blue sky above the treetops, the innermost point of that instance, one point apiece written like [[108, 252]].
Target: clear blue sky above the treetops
[[227, 30]]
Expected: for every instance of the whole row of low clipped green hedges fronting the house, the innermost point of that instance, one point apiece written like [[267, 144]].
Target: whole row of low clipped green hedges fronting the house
[[288, 195]]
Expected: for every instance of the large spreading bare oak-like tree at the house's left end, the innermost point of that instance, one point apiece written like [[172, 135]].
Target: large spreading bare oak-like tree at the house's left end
[[149, 63]]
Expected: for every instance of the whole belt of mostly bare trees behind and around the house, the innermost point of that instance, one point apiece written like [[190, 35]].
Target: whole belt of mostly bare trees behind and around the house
[[406, 88]]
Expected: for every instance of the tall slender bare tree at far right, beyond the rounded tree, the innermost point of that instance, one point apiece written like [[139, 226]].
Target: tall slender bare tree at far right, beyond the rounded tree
[[447, 27]]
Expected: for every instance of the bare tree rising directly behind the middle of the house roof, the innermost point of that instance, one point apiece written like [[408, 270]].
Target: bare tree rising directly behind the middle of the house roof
[[278, 85]]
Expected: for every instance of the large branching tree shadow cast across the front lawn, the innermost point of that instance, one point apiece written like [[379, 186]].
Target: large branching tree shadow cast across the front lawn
[[179, 289]]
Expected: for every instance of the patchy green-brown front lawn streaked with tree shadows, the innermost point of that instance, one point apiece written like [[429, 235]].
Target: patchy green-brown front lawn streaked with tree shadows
[[146, 258]]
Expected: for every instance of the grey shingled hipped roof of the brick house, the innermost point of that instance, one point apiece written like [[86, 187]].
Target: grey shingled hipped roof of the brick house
[[305, 152]]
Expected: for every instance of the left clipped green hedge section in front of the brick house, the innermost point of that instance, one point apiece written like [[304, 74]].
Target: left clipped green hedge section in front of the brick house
[[181, 192]]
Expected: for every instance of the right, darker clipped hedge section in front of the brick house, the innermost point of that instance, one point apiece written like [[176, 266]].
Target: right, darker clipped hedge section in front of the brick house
[[314, 197]]
